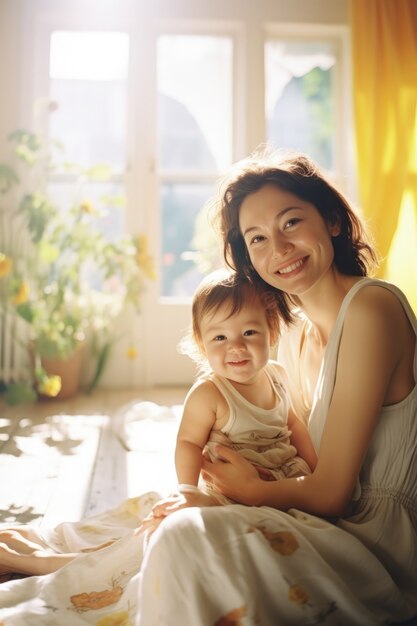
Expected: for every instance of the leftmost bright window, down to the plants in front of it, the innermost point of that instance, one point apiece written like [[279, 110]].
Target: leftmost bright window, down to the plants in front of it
[[88, 74]]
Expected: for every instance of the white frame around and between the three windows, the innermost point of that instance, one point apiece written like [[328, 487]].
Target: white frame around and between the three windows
[[249, 30]]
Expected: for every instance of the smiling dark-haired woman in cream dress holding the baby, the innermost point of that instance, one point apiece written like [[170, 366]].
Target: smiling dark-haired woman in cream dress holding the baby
[[338, 546]]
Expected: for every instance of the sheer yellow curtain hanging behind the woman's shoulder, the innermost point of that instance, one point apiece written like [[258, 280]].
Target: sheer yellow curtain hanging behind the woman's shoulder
[[384, 51]]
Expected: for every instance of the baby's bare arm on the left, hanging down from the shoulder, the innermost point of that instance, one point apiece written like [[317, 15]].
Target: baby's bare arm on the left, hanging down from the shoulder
[[198, 419]]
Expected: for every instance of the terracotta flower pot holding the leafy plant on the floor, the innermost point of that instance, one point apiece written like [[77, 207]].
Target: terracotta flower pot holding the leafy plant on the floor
[[68, 369]]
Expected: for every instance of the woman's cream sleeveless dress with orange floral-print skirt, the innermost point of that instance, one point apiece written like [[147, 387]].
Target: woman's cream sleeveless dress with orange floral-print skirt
[[257, 565]]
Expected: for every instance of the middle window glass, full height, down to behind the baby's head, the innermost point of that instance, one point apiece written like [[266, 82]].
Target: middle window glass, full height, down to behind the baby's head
[[194, 82]]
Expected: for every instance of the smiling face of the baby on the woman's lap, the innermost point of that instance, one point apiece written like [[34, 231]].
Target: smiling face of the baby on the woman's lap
[[237, 346]]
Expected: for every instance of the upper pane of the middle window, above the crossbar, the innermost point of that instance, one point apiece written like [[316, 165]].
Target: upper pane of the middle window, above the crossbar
[[195, 102]]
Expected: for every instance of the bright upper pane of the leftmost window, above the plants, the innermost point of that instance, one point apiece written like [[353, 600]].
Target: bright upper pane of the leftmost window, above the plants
[[88, 83]]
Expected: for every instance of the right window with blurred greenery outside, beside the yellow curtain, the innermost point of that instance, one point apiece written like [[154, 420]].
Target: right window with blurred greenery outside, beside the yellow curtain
[[307, 97]]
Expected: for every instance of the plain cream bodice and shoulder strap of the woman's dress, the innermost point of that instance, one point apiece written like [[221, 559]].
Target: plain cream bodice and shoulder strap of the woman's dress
[[383, 510]]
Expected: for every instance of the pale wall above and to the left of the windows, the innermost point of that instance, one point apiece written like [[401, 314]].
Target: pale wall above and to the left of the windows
[[18, 18]]
